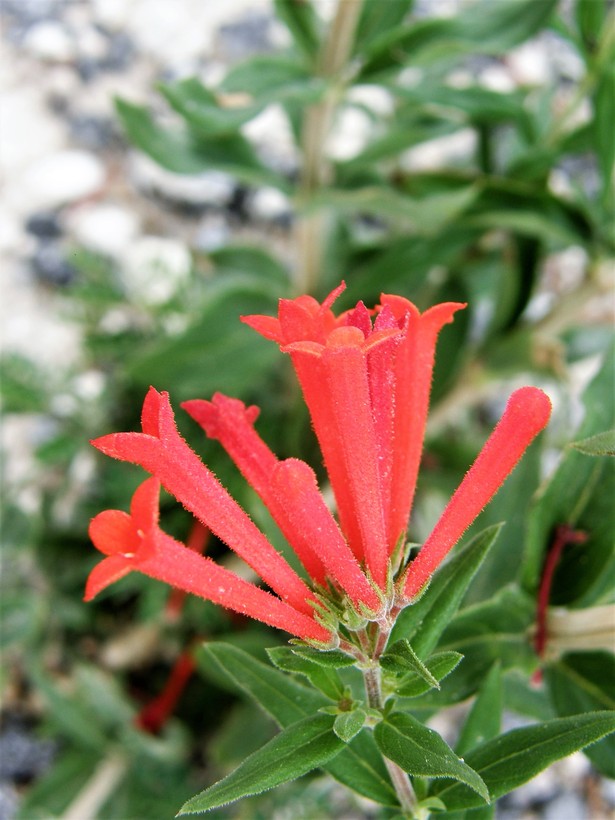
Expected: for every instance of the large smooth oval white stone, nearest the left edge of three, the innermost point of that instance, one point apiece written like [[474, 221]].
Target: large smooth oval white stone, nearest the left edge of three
[[61, 178]]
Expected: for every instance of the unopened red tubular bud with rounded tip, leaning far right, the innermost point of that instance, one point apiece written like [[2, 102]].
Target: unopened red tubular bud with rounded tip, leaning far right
[[526, 414]]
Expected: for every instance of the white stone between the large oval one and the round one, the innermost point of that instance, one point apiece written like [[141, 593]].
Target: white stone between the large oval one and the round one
[[104, 228]]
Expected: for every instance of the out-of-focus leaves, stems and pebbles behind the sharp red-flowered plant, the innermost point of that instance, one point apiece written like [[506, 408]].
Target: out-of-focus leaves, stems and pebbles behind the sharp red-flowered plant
[[169, 166]]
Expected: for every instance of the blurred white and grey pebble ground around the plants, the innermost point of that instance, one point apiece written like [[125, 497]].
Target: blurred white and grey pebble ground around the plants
[[70, 179]]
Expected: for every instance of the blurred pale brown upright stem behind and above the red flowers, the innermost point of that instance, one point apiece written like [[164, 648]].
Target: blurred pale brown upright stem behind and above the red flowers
[[316, 170]]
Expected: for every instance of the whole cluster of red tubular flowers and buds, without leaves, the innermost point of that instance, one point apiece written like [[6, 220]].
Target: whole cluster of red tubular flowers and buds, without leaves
[[366, 378]]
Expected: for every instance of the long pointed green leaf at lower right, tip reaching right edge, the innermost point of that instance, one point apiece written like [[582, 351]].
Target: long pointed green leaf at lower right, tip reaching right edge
[[512, 759]]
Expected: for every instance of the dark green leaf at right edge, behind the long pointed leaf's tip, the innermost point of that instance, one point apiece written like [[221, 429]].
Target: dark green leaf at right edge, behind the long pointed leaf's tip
[[583, 682]]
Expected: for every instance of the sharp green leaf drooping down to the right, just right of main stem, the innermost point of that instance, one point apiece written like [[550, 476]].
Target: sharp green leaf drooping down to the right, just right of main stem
[[421, 751]]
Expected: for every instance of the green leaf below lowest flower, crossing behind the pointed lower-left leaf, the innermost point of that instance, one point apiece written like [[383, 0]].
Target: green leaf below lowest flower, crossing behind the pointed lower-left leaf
[[359, 766]]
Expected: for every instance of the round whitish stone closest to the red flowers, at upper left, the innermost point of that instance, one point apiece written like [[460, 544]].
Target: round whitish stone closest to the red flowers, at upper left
[[154, 269]]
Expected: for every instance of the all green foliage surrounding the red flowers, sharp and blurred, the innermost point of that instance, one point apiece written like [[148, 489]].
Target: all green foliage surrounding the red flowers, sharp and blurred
[[492, 225]]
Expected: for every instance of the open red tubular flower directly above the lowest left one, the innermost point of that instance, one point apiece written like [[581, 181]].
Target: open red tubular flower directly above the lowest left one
[[160, 450]]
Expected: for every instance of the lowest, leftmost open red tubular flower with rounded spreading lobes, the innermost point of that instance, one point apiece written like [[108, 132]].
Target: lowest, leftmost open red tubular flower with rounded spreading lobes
[[135, 542]]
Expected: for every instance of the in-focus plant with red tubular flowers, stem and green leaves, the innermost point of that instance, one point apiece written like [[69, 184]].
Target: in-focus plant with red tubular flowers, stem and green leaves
[[366, 377]]
